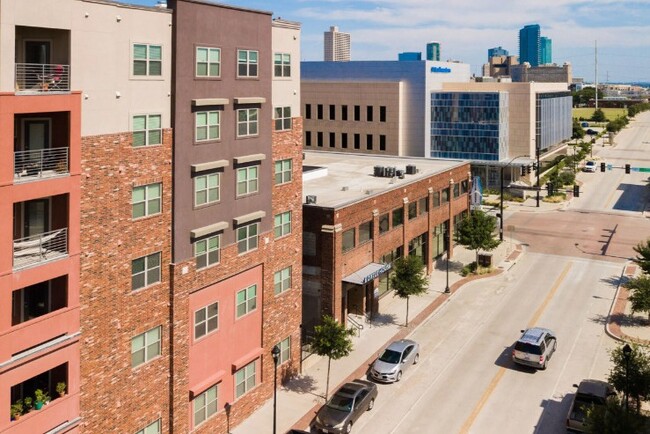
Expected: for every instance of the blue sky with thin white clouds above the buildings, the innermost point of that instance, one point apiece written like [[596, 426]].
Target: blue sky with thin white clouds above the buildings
[[380, 29]]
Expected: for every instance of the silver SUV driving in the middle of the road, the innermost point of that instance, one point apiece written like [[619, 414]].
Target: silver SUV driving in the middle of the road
[[535, 347]]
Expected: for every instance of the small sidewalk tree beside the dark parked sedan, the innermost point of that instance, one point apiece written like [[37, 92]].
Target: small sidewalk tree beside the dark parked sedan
[[332, 340]]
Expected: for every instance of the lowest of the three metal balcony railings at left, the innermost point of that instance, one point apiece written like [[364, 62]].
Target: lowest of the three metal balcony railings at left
[[43, 247]]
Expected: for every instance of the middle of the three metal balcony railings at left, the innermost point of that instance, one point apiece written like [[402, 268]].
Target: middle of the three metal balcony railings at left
[[41, 163]]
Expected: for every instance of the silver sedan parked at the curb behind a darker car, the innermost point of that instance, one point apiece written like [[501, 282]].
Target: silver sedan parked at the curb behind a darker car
[[396, 358]]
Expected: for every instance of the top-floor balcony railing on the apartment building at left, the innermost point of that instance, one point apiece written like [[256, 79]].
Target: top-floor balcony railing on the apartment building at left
[[37, 77]]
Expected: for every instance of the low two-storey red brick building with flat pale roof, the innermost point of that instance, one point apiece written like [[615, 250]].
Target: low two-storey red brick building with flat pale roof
[[357, 221]]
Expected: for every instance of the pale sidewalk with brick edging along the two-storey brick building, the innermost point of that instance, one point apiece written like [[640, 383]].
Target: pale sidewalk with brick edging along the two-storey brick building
[[299, 400]]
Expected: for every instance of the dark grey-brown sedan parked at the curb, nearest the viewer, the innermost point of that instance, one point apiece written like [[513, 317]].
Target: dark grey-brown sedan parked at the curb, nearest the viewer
[[345, 406]]
